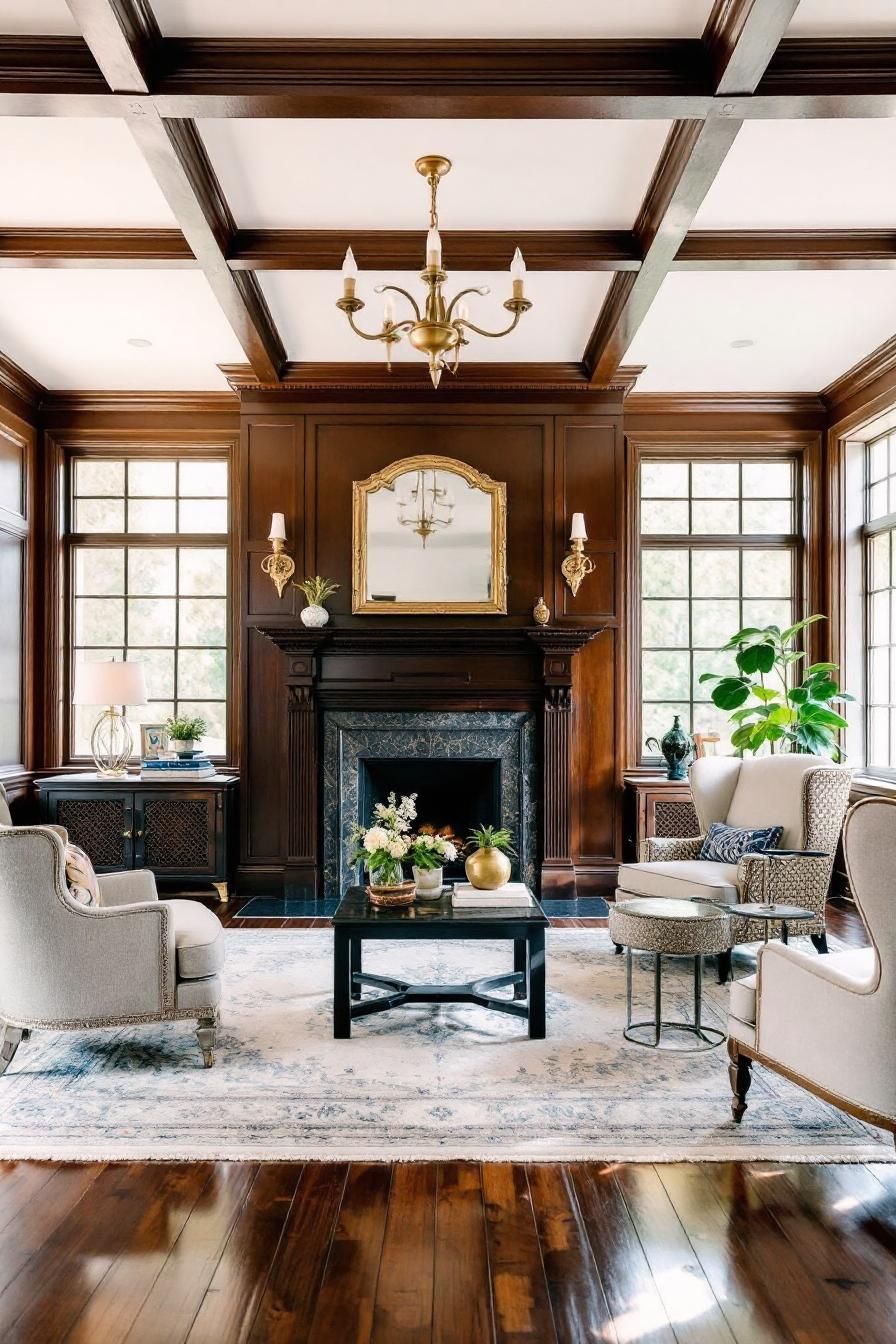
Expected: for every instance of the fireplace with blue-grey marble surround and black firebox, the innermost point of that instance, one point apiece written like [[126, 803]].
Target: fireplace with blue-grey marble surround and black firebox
[[464, 767]]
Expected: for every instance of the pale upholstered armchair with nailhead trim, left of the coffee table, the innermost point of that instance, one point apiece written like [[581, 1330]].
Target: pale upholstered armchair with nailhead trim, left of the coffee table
[[69, 967]]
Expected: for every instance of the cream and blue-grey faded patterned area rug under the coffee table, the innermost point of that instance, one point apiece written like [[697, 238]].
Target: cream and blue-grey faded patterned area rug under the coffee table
[[422, 1083]]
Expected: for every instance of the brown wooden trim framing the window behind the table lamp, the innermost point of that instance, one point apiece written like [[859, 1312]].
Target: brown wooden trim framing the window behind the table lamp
[[174, 451]]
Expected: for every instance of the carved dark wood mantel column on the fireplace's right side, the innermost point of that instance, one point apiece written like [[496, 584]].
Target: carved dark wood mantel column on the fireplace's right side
[[558, 647]]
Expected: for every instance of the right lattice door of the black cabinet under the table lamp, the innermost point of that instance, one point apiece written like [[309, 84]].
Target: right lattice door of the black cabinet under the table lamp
[[177, 833]]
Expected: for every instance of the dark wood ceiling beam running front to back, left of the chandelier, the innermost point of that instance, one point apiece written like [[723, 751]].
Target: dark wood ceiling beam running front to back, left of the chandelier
[[126, 44]]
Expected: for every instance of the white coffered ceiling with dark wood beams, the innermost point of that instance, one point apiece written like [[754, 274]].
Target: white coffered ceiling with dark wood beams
[[679, 174]]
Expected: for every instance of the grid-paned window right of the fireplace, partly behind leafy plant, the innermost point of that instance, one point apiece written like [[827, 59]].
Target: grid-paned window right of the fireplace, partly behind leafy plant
[[719, 552]]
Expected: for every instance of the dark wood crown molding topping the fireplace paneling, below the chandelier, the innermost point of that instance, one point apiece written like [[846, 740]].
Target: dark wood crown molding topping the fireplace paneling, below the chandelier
[[404, 378]]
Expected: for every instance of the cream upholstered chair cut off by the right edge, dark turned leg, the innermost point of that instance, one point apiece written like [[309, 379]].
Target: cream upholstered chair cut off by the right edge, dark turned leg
[[828, 1023]]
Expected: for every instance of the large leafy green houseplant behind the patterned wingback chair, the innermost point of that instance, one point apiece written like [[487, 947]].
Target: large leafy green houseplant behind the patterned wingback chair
[[768, 702]]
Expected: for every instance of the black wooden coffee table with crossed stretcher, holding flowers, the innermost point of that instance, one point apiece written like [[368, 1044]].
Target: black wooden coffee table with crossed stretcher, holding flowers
[[357, 920]]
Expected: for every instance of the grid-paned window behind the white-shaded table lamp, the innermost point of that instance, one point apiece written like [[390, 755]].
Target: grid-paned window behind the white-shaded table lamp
[[147, 553]]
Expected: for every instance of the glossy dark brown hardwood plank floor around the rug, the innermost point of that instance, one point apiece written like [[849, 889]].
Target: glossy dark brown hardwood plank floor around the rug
[[449, 1253]]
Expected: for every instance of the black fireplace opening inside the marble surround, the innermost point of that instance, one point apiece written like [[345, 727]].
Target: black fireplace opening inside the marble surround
[[453, 795]]
